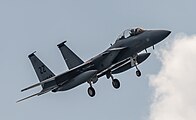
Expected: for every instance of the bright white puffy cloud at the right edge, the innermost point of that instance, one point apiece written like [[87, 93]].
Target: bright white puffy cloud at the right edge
[[175, 85]]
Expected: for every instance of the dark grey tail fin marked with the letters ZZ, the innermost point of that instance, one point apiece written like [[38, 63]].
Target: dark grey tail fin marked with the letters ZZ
[[42, 71]]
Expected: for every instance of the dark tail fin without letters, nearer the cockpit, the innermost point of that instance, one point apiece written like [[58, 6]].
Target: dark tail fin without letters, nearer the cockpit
[[71, 59]]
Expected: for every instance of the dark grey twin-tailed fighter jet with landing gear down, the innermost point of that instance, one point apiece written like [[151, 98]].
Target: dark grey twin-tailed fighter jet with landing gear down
[[124, 54]]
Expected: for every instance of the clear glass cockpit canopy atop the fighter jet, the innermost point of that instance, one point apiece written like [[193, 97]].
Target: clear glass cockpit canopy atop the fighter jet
[[129, 33]]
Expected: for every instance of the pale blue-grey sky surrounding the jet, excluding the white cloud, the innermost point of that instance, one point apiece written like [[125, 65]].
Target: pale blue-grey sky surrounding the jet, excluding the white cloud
[[89, 27]]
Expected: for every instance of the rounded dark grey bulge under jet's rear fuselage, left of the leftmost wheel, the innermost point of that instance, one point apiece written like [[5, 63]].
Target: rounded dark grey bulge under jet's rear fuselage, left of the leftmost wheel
[[81, 78]]
